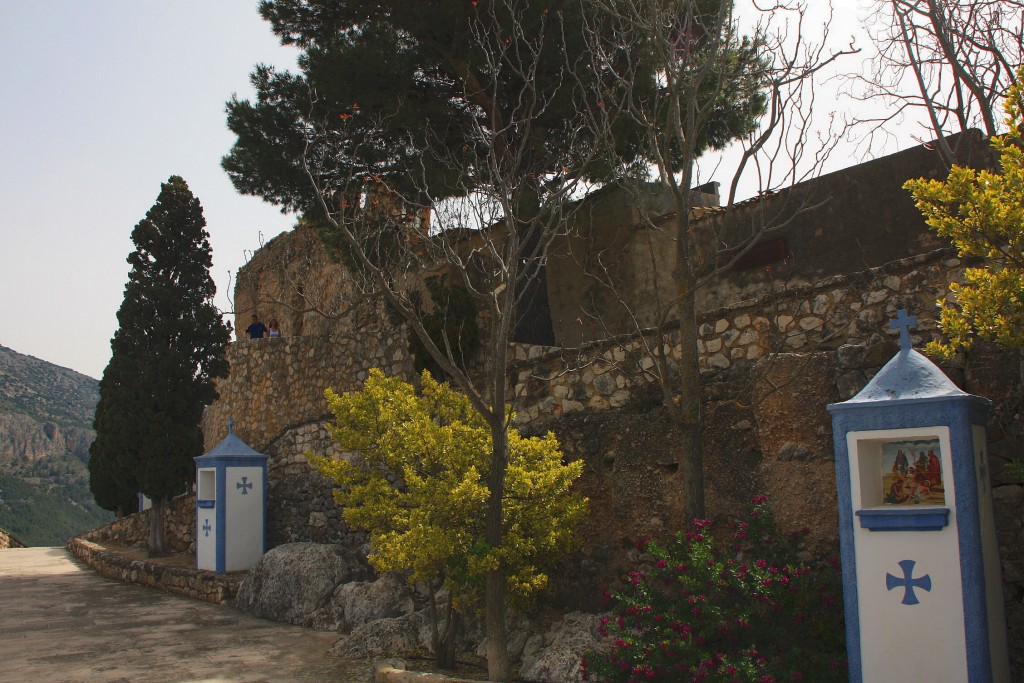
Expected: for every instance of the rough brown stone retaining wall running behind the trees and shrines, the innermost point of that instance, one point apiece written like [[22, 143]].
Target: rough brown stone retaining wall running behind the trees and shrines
[[770, 367]]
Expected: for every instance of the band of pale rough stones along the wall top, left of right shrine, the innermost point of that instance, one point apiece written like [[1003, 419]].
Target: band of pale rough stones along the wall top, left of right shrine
[[849, 310]]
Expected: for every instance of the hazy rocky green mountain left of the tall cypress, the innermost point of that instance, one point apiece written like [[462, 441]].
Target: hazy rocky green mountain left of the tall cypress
[[46, 433]]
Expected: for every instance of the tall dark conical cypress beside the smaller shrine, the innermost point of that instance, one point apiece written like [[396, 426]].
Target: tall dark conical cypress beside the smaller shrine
[[166, 354]]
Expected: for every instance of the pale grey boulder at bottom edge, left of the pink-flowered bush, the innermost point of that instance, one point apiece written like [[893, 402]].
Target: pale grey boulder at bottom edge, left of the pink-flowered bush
[[563, 650]]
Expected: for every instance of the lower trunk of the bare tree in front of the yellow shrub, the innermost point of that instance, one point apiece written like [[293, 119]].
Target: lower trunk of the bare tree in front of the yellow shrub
[[499, 667]]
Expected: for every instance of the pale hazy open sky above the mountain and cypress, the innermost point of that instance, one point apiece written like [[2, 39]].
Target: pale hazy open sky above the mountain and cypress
[[102, 102]]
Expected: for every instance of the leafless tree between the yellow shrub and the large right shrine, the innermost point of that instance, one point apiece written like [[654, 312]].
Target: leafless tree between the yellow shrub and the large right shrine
[[707, 67]]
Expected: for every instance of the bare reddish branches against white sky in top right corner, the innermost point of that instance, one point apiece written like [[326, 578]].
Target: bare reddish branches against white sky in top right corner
[[946, 65]]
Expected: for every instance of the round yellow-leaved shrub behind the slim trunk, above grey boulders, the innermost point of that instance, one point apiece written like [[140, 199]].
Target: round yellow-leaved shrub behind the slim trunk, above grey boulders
[[416, 481]]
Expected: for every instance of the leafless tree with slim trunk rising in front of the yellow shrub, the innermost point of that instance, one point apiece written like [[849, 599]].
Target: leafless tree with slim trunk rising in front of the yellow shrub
[[489, 235]]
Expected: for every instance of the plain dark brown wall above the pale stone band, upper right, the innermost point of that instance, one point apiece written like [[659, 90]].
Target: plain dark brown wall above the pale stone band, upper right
[[852, 221]]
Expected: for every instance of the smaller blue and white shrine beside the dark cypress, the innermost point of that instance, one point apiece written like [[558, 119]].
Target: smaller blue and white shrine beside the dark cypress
[[231, 506]]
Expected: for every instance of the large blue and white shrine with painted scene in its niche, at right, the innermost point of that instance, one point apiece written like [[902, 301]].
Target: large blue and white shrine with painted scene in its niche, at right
[[921, 570]]
